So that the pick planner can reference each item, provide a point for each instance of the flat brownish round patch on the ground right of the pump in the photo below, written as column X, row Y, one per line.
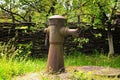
column 99, row 70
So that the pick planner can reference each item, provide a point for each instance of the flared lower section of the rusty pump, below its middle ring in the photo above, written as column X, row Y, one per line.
column 55, row 59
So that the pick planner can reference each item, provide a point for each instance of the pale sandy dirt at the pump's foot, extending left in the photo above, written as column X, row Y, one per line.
column 43, row 76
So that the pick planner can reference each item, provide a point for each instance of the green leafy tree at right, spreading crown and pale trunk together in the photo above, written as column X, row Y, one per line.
column 97, row 13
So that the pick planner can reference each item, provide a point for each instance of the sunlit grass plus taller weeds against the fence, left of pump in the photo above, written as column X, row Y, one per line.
column 13, row 64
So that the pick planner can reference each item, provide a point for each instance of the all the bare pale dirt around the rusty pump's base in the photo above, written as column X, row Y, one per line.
column 96, row 70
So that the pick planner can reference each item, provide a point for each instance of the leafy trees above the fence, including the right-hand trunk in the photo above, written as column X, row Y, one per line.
column 95, row 13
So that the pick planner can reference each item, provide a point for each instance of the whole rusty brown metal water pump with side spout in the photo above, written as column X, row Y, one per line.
column 57, row 31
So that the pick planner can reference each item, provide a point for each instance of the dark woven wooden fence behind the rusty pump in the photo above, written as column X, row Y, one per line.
column 38, row 38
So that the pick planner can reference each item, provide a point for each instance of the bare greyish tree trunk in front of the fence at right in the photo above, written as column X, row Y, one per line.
column 110, row 43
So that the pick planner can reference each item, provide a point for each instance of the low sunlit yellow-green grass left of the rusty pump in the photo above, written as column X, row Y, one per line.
column 8, row 69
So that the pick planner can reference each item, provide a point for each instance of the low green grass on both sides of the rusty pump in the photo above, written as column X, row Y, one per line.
column 15, row 67
